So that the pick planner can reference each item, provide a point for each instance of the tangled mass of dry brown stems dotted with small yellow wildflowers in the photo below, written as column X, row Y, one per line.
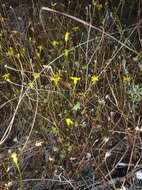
column 71, row 97
